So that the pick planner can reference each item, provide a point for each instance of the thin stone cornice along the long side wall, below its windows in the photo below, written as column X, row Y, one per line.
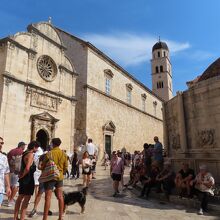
column 120, row 101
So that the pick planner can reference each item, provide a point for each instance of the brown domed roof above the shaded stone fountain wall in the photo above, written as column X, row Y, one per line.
column 212, row 71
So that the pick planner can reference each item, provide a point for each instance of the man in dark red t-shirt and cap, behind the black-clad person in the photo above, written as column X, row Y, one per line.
column 14, row 153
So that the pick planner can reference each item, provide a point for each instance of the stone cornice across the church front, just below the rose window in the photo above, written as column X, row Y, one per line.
column 32, row 85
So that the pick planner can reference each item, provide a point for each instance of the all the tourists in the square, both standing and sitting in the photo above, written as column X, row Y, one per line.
column 34, row 170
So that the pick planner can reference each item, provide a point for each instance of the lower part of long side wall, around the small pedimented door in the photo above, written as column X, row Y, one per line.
column 132, row 128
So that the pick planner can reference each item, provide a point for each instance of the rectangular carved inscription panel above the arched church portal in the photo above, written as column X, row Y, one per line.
column 44, row 101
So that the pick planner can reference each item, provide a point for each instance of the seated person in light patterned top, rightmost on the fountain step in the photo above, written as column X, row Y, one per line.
column 203, row 185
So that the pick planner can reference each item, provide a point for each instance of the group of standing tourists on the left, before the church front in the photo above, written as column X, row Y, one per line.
column 34, row 170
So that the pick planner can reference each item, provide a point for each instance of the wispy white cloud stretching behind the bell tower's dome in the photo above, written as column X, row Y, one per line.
column 130, row 49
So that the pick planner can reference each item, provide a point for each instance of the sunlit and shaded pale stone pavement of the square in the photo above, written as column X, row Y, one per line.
column 101, row 205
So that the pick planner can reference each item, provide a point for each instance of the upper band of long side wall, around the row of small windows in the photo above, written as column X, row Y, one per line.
column 96, row 78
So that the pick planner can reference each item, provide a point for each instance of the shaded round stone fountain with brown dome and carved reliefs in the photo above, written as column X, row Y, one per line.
column 192, row 123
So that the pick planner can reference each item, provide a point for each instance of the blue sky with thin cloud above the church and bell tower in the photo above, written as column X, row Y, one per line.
column 127, row 29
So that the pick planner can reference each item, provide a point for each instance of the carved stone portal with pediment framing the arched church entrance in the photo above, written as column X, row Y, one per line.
column 45, row 122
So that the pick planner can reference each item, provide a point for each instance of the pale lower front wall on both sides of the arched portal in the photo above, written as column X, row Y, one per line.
column 16, row 114
